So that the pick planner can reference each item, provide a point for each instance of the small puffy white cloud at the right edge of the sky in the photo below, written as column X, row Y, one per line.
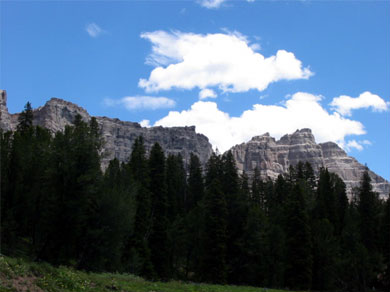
column 345, row 104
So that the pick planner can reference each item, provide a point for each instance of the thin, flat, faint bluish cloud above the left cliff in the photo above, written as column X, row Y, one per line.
column 141, row 102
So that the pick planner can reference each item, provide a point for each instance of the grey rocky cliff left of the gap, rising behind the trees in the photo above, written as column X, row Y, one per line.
column 118, row 135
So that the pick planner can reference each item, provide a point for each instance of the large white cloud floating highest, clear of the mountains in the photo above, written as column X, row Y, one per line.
column 223, row 60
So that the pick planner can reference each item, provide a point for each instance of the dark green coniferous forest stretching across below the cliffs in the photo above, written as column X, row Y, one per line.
column 156, row 217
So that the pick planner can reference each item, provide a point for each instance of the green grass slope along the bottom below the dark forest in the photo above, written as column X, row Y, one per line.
column 20, row 275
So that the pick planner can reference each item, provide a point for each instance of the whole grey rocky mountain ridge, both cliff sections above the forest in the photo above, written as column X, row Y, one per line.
column 270, row 156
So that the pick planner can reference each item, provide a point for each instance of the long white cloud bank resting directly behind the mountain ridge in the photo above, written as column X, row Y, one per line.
column 301, row 110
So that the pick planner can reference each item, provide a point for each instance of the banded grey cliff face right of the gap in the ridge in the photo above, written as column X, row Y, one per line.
column 274, row 157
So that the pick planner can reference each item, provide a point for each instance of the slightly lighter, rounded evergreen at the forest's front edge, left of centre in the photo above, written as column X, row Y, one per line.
column 109, row 223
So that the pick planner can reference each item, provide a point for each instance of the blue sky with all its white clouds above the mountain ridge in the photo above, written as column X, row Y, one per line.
column 235, row 69
